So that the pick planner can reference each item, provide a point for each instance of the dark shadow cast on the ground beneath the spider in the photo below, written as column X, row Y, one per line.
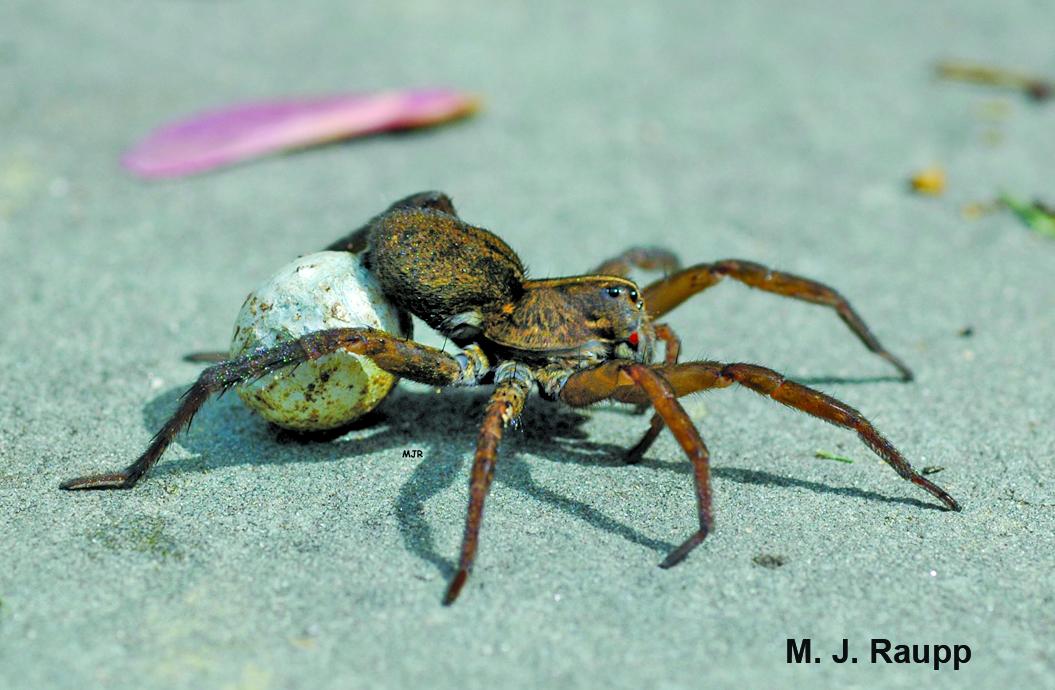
column 425, row 420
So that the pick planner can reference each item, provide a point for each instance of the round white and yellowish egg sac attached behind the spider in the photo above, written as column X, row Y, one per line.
column 329, row 290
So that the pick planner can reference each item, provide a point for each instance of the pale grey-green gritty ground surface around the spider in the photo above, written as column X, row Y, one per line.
column 757, row 131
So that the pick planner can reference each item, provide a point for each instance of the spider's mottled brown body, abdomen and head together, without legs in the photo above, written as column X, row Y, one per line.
column 469, row 285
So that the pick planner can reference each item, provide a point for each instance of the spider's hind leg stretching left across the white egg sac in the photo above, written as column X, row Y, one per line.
column 400, row 357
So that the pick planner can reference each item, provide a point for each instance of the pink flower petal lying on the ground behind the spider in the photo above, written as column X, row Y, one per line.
column 236, row 133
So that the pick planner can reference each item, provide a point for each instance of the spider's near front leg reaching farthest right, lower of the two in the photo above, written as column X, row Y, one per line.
column 608, row 382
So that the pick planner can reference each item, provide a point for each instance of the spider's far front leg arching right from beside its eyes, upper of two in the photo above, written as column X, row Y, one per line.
column 667, row 294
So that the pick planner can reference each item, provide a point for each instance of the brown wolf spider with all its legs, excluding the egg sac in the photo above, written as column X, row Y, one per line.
column 578, row 340
